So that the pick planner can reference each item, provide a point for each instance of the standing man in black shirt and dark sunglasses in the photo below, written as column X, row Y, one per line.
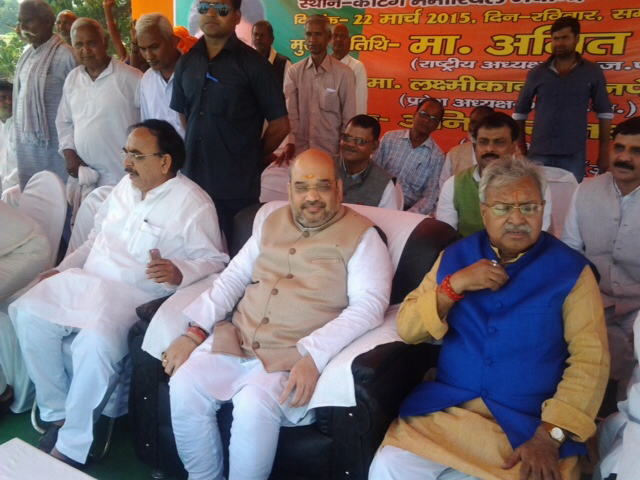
column 224, row 90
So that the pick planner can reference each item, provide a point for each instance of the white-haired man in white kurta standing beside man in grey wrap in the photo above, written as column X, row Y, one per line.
column 99, row 102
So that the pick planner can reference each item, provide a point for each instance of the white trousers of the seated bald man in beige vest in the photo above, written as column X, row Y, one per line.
column 199, row 387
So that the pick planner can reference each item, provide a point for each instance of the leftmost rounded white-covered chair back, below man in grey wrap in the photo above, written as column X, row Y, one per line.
column 44, row 200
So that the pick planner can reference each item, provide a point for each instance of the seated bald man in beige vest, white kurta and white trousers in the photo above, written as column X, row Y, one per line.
column 293, row 316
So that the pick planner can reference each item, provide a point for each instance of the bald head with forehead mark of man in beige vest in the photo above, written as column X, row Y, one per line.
column 315, row 192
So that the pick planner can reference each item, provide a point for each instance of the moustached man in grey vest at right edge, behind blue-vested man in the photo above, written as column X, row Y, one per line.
column 603, row 222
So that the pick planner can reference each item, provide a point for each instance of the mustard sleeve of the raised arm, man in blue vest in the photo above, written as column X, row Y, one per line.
column 418, row 319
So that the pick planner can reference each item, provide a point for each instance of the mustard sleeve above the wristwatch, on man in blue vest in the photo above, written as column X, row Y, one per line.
column 580, row 392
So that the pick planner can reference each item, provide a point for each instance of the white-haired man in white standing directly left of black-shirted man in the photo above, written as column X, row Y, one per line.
column 158, row 46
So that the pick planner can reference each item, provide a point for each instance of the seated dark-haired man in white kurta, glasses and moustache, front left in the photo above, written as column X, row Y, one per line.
column 155, row 233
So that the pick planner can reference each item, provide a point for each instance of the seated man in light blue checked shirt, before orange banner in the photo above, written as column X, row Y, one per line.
column 415, row 158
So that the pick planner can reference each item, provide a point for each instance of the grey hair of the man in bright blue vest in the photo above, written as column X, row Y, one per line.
column 507, row 170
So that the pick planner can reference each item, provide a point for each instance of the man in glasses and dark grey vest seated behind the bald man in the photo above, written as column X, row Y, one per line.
column 363, row 181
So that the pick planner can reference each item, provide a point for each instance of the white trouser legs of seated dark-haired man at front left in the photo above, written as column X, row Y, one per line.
column 76, row 397
